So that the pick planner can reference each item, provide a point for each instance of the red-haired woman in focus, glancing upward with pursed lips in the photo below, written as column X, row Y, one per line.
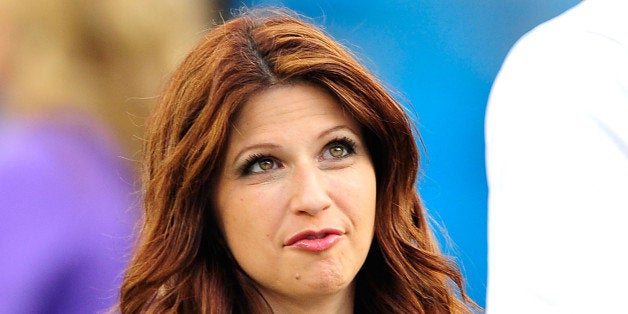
column 279, row 177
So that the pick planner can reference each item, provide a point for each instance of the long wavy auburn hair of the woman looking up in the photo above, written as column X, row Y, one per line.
column 182, row 262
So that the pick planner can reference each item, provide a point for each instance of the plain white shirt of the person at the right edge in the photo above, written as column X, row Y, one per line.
column 557, row 167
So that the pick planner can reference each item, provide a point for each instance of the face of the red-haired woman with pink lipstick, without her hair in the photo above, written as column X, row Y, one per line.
column 296, row 195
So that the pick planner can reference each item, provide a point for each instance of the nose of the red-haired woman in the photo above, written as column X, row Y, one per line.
column 309, row 193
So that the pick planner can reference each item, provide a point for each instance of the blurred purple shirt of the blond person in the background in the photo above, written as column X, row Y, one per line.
column 67, row 210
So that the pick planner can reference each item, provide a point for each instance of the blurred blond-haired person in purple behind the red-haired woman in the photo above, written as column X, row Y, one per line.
column 76, row 78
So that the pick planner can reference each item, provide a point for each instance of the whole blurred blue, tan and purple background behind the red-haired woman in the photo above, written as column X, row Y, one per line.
column 77, row 78
